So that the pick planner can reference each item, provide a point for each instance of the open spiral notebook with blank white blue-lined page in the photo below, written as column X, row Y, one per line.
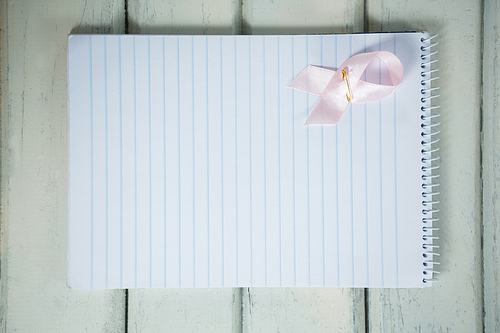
column 190, row 164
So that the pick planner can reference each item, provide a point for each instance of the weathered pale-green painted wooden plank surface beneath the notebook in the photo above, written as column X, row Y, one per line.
column 34, row 172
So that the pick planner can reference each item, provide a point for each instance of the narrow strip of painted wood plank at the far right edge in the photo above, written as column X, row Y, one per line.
column 491, row 163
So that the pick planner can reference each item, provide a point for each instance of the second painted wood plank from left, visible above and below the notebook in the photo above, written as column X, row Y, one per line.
column 188, row 310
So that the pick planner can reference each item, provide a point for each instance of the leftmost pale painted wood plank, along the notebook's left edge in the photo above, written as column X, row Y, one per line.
column 34, row 168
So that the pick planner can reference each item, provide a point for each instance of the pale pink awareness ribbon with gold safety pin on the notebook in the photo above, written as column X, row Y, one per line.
column 334, row 89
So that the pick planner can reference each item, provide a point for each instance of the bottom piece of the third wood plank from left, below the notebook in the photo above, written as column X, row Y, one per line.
column 303, row 310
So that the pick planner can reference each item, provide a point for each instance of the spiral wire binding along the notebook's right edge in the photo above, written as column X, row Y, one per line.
column 430, row 167
